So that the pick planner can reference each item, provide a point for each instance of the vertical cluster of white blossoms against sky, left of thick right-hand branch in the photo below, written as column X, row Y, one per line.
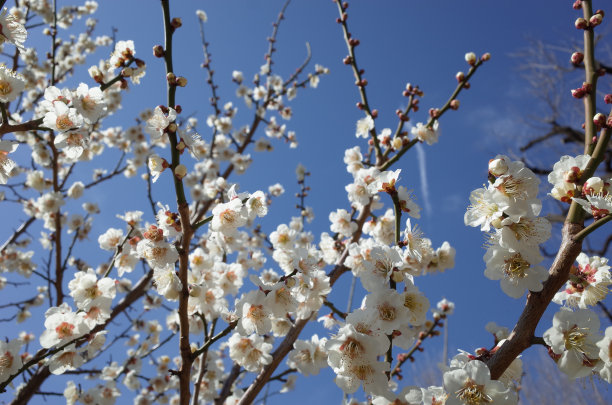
column 508, row 209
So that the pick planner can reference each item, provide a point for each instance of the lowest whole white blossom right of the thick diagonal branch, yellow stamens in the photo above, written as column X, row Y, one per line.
column 573, row 336
